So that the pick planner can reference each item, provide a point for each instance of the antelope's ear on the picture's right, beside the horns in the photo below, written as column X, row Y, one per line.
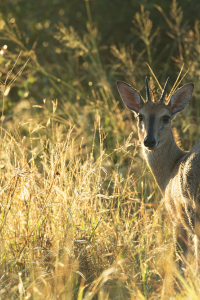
column 180, row 99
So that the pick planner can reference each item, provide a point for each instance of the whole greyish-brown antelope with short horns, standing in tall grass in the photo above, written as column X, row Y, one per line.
column 176, row 172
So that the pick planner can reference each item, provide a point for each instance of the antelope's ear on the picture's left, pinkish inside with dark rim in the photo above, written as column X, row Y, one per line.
column 130, row 96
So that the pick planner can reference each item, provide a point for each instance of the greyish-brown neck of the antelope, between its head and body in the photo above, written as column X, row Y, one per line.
column 164, row 161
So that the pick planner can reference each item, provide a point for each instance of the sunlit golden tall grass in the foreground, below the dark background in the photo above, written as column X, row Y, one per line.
column 73, row 227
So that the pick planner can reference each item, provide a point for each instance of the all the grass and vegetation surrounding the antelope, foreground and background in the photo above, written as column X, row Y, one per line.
column 81, row 216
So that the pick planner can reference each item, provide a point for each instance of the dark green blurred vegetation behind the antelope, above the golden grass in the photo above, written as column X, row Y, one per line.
column 78, row 49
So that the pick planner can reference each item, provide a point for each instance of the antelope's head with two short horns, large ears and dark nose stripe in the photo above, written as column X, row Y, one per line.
column 154, row 118
